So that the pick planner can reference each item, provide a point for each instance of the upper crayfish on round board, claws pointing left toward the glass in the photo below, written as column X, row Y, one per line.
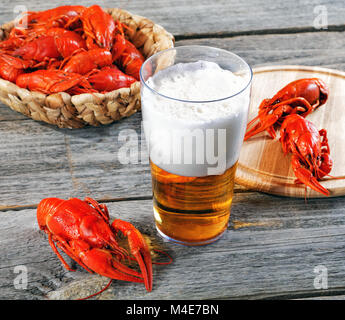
column 301, row 97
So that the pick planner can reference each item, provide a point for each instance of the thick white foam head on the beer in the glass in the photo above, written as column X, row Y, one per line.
column 167, row 120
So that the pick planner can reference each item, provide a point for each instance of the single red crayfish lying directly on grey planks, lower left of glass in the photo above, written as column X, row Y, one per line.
column 82, row 230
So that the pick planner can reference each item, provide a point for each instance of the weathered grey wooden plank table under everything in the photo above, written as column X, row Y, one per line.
column 274, row 246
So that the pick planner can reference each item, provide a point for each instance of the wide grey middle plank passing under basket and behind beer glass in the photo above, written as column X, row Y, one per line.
column 43, row 161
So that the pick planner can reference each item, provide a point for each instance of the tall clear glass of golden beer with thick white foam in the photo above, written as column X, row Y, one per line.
column 195, row 102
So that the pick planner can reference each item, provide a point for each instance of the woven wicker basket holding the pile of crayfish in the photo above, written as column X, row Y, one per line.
column 76, row 111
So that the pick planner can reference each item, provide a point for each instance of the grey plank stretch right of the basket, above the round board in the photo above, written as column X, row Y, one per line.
column 307, row 49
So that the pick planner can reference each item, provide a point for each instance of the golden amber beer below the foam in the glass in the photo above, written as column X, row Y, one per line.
column 192, row 210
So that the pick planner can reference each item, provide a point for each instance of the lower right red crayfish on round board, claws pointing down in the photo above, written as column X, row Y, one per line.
column 310, row 151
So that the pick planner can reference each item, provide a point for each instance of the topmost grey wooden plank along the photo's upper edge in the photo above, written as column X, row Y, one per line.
column 186, row 18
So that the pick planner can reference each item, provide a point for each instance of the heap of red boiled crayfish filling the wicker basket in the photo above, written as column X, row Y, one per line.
column 74, row 49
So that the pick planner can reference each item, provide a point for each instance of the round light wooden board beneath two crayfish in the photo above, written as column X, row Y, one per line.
column 262, row 165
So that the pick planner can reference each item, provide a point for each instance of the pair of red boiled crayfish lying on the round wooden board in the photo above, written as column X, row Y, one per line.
column 287, row 109
